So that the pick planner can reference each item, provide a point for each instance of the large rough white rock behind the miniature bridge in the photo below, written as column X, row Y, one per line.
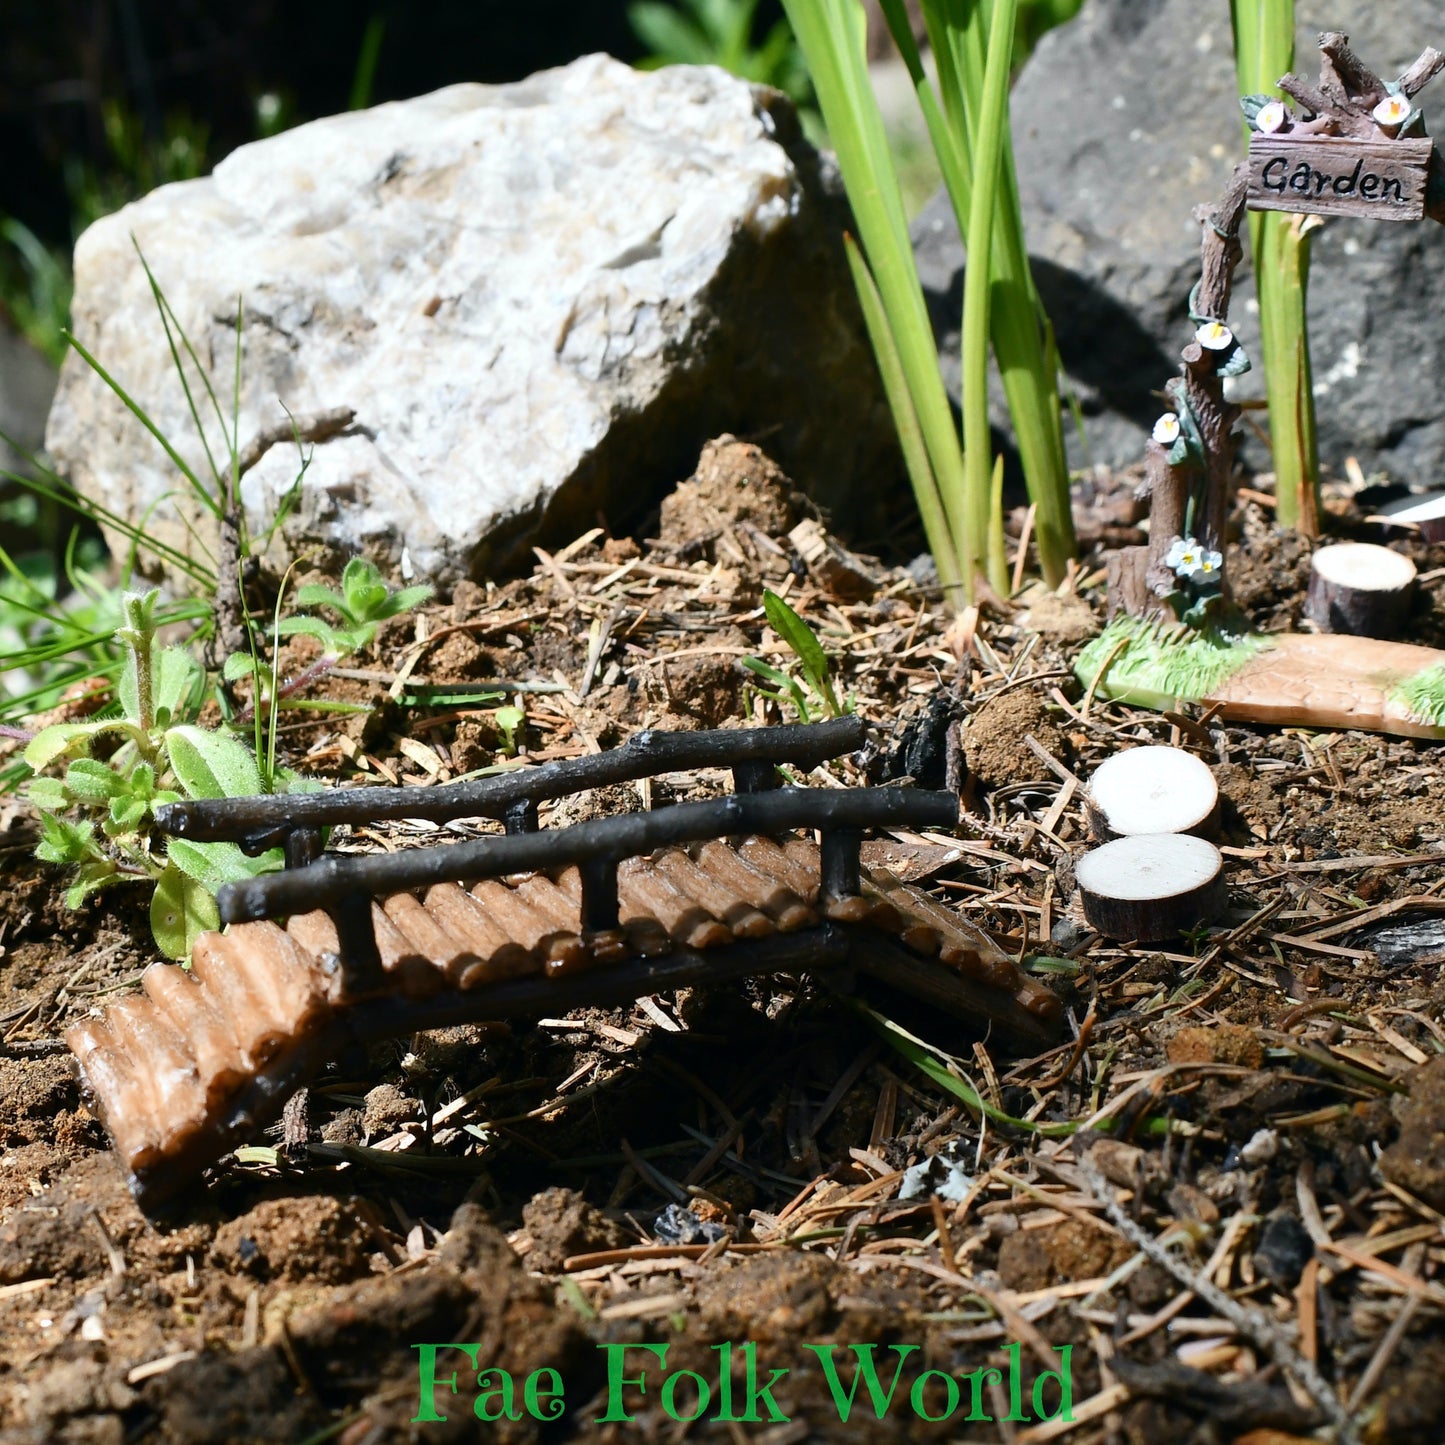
column 538, row 300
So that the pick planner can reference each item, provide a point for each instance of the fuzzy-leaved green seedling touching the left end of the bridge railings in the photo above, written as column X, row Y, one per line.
column 99, row 816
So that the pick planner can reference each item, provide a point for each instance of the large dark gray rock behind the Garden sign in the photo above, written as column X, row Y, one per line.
column 1125, row 121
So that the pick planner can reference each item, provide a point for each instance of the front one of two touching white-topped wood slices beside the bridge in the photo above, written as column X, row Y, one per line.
column 1152, row 887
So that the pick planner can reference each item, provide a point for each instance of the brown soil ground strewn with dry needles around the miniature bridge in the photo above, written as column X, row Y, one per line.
column 1225, row 1193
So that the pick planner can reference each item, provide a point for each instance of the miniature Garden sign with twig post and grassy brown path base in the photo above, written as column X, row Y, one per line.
column 1355, row 147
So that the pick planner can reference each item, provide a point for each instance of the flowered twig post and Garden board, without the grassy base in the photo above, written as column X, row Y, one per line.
column 1359, row 148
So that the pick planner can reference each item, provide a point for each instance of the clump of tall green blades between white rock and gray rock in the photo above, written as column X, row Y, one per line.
column 956, row 480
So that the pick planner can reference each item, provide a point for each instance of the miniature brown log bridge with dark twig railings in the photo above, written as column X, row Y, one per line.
column 524, row 924
